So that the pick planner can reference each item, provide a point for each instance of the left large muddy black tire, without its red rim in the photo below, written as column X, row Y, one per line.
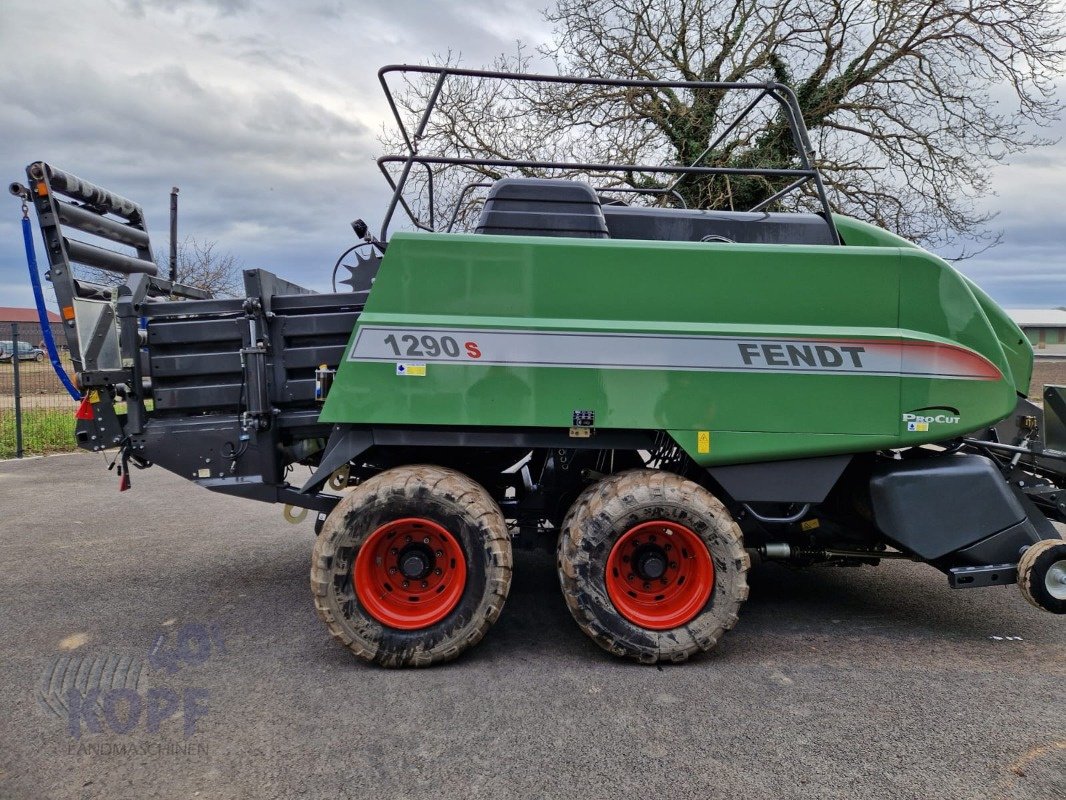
column 446, row 498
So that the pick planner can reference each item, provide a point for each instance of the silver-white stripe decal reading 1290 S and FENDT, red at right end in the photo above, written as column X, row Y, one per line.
column 671, row 353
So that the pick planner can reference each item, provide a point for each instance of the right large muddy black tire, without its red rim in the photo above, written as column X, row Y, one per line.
column 620, row 503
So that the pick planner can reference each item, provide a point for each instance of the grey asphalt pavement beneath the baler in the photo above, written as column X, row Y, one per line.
column 163, row 644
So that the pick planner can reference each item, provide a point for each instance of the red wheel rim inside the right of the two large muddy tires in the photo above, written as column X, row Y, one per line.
column 659, row 575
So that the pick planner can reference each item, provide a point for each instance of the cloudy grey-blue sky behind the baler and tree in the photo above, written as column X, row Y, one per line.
column 266, row 115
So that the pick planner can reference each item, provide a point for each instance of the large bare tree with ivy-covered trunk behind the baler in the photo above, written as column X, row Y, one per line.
column 910, row 103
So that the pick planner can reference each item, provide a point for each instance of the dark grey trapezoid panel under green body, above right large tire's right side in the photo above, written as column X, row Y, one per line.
column 800, row 481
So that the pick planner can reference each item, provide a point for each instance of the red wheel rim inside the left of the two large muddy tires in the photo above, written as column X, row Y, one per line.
column 410, row 574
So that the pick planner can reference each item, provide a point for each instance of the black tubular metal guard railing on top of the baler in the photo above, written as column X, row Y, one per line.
column 777, row 92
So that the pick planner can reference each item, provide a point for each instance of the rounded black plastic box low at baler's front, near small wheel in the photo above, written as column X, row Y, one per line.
column 940, row 505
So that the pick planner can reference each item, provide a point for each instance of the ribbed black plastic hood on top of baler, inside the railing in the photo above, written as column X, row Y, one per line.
column 543, row 207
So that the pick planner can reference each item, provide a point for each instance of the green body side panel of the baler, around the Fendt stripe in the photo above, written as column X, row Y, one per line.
column 539, row 285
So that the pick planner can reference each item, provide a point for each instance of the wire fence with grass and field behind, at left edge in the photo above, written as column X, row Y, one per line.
column 37, row 414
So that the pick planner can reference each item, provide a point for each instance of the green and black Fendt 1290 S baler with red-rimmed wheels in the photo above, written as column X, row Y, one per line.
column 664, row 394
